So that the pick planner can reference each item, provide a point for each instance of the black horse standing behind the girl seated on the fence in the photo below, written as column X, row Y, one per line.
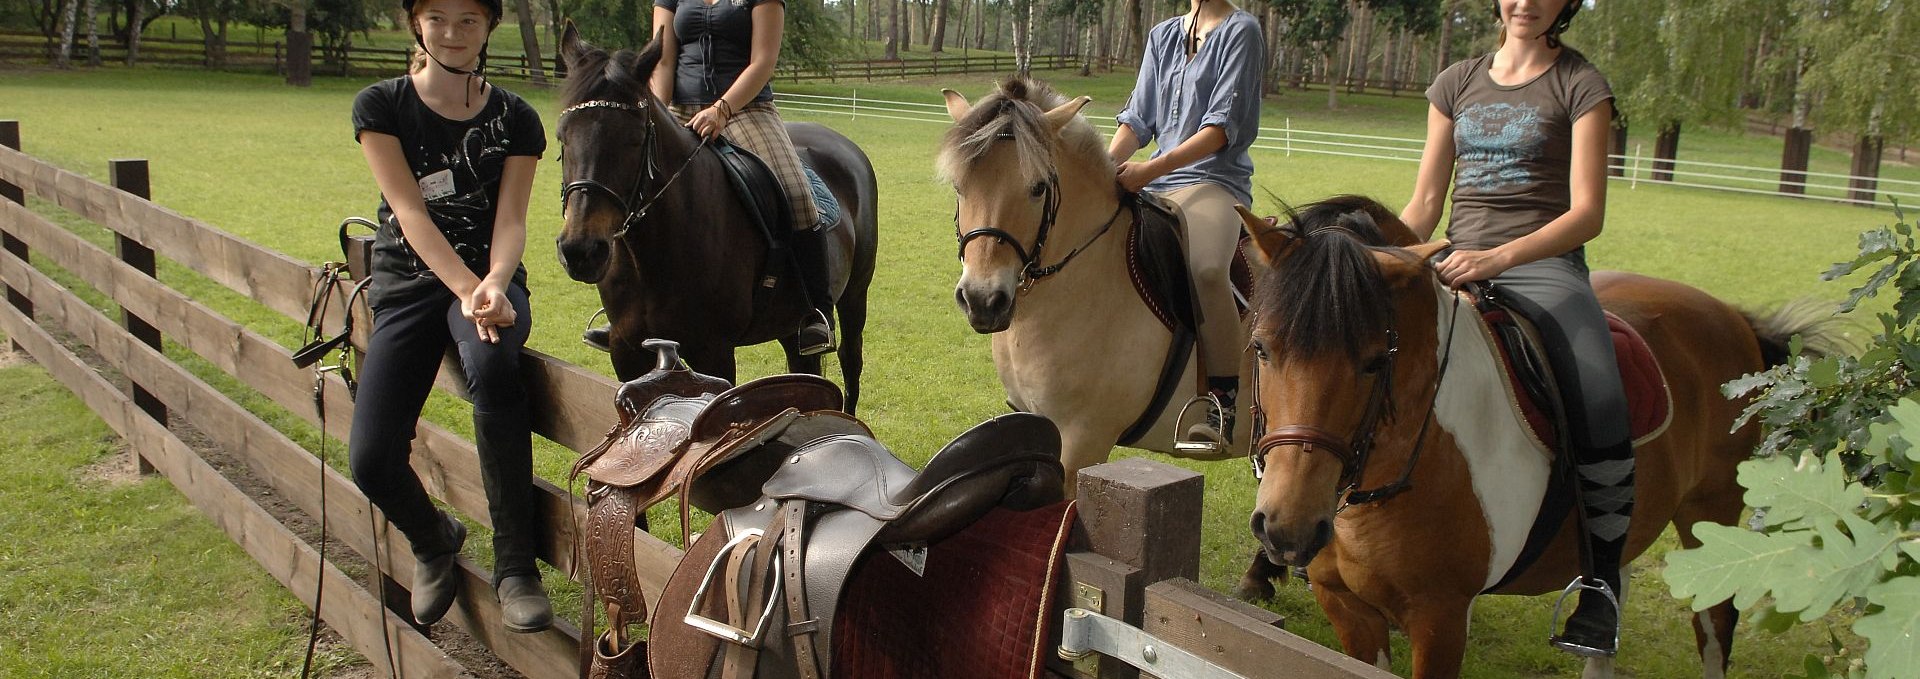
column 677, row 256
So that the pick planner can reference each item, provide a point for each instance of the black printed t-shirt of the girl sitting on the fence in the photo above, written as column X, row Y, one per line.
column 458, row 166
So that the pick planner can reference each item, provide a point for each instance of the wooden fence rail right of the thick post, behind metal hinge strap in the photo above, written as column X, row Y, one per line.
column 1241, row 638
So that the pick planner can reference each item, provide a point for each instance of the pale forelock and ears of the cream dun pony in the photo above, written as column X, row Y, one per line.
column 1013, row 114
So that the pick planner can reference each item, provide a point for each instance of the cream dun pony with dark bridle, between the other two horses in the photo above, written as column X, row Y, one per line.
column 1044, row 248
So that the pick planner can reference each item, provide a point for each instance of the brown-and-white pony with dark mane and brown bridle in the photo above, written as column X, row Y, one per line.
column 1351, row 354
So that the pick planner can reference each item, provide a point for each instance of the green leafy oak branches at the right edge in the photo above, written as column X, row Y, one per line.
column 1840, row 511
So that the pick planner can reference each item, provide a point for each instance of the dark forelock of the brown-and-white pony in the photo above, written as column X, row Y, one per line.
column 1330, row 294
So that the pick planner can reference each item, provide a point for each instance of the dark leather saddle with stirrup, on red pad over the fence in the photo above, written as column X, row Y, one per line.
column 759, row 594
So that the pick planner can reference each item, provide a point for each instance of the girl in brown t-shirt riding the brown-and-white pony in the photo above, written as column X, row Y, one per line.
column 1524, row 137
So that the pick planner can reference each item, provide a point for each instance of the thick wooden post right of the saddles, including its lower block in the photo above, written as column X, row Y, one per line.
column 1140, row 525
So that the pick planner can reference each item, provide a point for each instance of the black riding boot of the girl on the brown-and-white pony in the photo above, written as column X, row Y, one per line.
column 1608, row 492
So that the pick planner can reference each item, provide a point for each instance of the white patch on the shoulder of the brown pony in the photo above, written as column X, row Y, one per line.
column 1508, row 463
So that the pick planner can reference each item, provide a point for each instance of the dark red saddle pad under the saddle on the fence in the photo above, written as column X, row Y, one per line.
column 986, row 607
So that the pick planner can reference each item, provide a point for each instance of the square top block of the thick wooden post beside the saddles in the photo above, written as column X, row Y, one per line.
column 1145, row 515
